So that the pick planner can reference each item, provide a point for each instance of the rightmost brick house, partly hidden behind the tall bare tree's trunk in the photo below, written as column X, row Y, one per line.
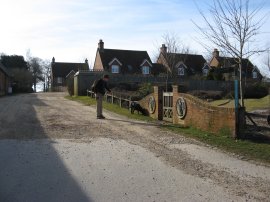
column 228, row 66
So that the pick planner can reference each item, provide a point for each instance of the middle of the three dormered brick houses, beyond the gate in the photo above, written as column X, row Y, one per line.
column 182, row 64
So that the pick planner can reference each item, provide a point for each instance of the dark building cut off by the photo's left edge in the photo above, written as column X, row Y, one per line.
column 5, row 80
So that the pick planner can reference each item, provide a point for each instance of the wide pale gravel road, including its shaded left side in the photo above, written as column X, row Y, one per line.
column 53, row 149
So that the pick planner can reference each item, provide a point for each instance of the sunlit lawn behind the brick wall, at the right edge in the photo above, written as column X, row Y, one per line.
column 251, row 104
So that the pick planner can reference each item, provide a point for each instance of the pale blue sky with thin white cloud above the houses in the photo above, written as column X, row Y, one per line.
column 69, row 30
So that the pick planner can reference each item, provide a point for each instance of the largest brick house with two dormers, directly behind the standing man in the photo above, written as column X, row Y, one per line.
column 117, row 61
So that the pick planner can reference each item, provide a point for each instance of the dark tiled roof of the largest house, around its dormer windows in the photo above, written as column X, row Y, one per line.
column 130, row 59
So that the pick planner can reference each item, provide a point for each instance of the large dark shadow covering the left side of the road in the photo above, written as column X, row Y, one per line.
column 31, row 168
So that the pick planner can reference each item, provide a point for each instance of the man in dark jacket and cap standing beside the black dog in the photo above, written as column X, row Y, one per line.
column 101, row 88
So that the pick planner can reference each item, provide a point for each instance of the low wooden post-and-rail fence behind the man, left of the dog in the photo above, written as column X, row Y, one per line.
column 120, row 100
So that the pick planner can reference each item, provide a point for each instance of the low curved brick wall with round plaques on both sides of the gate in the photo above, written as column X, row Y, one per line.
column 199, row 114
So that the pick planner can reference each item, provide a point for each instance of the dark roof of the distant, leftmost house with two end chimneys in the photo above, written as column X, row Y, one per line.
column 62, row 69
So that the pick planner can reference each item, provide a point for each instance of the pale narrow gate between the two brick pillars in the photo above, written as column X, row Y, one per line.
column 168, row 106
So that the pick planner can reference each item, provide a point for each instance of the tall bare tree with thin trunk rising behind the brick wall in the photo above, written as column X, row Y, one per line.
column 233, row 26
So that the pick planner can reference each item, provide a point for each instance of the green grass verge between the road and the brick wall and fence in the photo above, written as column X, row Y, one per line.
column 223, row 140
